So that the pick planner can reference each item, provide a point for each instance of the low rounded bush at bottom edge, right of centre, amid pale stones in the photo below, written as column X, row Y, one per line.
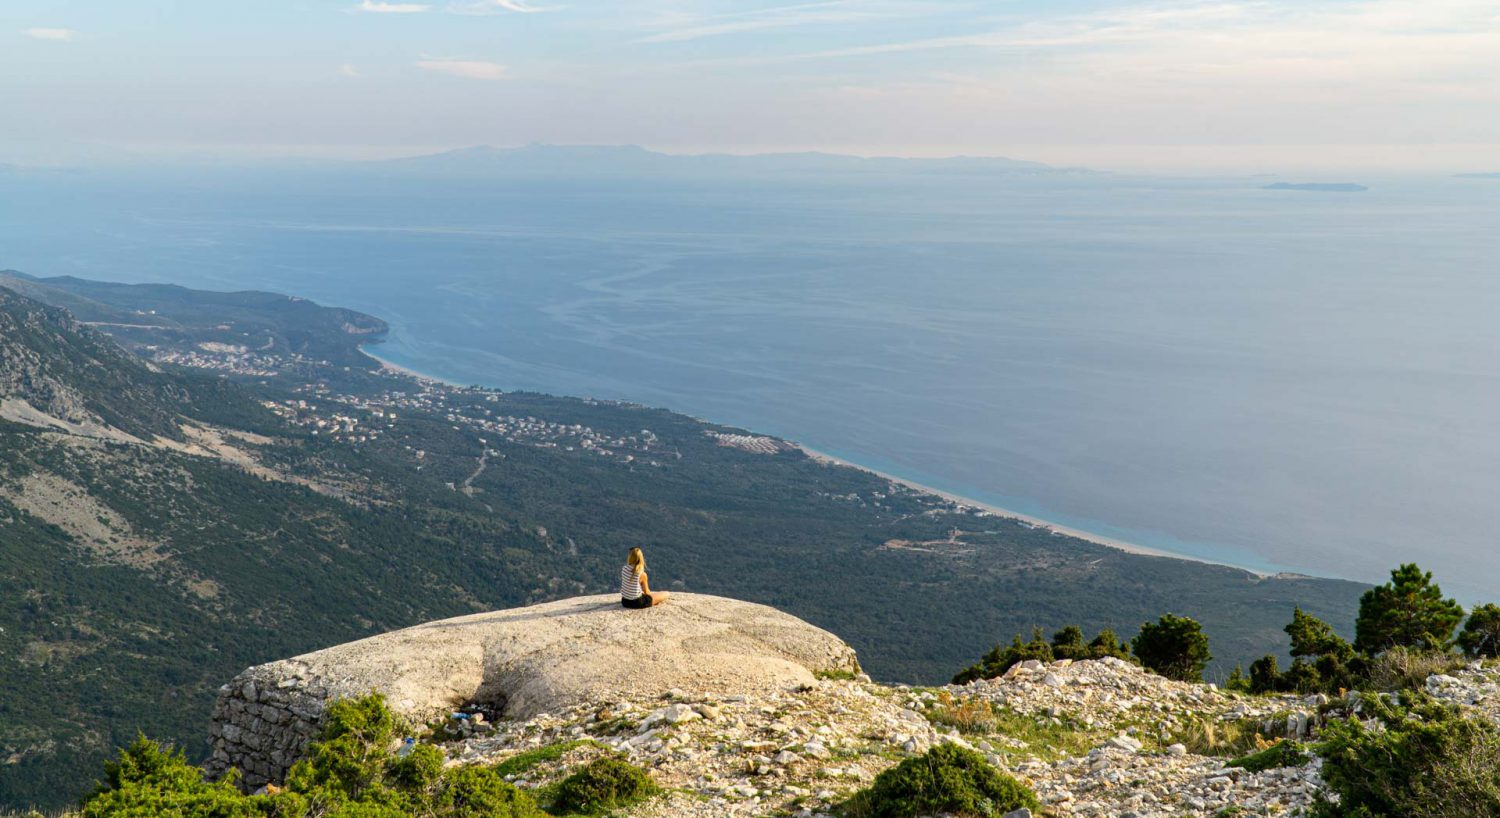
column 944, row 780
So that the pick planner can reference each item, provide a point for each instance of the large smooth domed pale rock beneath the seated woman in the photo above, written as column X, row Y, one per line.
column 520, row 664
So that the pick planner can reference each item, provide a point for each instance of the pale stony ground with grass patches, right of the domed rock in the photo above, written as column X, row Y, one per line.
column 1090, row 738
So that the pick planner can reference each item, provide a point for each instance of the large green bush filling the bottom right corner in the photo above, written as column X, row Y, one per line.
column 1421, row 760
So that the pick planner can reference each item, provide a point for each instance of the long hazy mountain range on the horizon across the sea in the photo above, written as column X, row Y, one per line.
column 547, row 160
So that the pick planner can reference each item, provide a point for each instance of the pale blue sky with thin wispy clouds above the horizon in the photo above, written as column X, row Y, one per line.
column 1244, row 85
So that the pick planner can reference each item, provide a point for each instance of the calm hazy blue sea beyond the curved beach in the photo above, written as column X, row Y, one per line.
column 1283, row 380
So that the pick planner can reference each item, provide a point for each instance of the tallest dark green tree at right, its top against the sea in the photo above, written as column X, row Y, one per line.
column 1408, row 612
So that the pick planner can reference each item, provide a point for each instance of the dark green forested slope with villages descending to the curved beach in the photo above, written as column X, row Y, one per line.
column 260, row 516
